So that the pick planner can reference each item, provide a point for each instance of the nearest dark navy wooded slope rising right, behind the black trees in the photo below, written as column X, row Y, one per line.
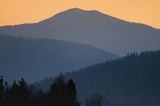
column 129, row 81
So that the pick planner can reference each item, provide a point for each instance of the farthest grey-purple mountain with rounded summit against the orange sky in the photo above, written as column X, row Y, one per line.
column 93, row 28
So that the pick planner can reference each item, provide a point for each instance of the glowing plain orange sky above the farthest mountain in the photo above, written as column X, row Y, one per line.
column 29, row 11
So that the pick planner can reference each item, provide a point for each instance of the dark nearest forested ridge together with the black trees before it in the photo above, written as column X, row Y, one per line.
column 122, row 81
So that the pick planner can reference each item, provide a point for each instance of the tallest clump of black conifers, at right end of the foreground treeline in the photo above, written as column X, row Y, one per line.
column 62, row 93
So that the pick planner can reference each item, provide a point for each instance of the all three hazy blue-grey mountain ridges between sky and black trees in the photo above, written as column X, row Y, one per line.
column 74, row 39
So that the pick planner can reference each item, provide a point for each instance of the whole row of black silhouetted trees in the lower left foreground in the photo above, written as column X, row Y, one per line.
column 61, row 93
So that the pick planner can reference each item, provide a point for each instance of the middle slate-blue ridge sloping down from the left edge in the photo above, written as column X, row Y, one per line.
column 35, row 59
